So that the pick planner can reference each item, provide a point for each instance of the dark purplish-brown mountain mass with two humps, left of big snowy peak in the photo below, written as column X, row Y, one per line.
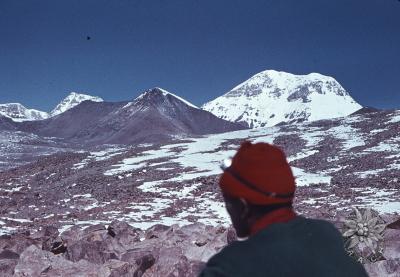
column 156, row 115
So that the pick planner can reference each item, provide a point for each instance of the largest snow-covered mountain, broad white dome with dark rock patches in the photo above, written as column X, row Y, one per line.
column 271, row 97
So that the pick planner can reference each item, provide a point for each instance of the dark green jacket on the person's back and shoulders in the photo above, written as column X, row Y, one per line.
column 300, row 247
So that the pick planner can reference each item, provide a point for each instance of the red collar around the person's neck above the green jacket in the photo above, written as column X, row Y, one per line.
column 280, row 215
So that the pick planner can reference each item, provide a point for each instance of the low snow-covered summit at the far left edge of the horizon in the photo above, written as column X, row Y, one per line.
column 17, row 112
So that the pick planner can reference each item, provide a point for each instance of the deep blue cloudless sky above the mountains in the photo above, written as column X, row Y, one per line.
column 198, row 49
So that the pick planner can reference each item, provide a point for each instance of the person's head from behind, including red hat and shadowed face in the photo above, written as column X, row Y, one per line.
column 259, row 180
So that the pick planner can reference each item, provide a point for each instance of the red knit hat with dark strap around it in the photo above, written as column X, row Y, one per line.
column 260, row 174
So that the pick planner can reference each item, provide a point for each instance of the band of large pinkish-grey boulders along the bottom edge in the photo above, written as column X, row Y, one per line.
column 122, row 250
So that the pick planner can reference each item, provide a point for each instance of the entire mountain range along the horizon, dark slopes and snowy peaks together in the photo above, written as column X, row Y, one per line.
column 266, row 99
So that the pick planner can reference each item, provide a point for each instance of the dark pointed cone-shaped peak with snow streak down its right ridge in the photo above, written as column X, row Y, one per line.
column 154, row 116
